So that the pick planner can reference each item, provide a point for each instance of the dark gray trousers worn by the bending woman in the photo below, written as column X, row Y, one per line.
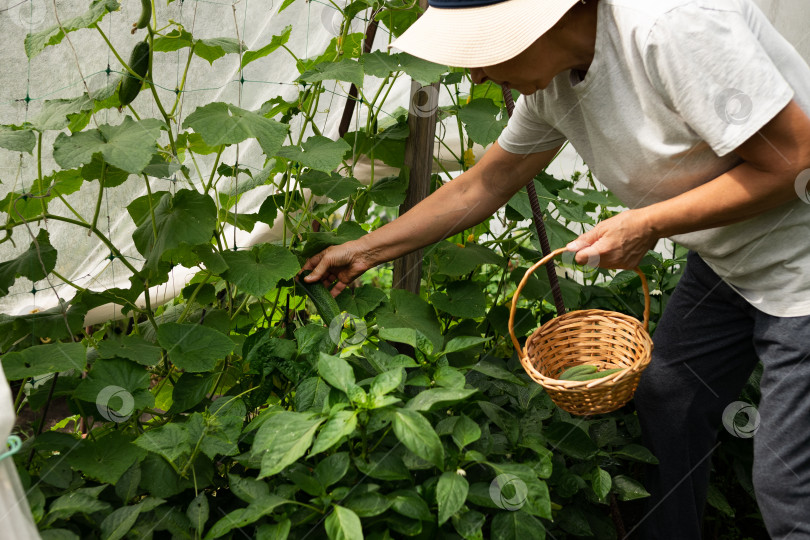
column 707, row 344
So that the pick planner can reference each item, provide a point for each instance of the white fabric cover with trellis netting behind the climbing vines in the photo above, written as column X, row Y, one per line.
column 42, row 83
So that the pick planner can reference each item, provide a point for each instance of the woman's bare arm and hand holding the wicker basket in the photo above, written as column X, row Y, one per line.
column 775, row 161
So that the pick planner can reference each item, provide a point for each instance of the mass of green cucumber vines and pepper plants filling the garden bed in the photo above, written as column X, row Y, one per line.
column 231, row 411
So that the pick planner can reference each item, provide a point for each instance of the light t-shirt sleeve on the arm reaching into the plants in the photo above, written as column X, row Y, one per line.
column 527, row 132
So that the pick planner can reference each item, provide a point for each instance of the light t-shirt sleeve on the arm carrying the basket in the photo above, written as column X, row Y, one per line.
column 711, row 69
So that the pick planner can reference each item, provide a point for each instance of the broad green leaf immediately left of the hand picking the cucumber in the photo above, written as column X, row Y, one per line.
column 258, row 270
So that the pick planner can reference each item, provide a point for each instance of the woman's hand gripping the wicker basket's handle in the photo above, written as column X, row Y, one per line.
column 618, row 242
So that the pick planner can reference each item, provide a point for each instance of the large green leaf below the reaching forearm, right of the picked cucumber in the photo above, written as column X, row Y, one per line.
column 406, row 310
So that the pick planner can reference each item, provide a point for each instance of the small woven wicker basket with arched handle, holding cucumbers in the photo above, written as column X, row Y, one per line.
column 607, row 339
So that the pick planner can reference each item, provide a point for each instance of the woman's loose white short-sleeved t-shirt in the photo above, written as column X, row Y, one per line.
column 675, row 86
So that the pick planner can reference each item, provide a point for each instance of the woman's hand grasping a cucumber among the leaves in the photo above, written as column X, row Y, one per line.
column 341, row 264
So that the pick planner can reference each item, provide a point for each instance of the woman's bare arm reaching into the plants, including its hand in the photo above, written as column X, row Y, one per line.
column 459, row 204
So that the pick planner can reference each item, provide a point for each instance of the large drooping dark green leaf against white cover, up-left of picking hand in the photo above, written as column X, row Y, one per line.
column 188, row 217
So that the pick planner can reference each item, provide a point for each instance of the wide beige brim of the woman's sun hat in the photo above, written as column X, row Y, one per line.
column 479, row 33
